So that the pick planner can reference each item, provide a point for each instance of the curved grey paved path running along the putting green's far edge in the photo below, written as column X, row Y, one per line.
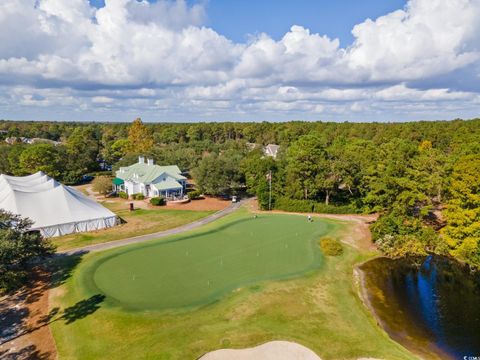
column 138, row 239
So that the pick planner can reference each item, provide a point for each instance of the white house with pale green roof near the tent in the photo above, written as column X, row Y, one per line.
column 150, row 180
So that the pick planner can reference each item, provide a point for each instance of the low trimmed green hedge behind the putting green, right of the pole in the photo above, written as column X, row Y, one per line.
column 313, row 207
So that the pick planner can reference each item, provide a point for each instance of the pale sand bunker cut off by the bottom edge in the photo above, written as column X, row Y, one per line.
column 274, row 350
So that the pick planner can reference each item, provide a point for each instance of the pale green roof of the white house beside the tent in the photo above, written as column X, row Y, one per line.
column 146, row 174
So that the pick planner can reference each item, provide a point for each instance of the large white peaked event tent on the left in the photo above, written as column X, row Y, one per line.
column 54, row 208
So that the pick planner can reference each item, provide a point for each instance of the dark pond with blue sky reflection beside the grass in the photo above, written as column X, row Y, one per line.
column 430, row 305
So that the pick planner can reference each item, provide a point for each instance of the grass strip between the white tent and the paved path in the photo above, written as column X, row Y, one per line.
column 138, row 222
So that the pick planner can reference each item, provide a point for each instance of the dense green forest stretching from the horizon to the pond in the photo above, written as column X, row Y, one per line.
column 421, row 177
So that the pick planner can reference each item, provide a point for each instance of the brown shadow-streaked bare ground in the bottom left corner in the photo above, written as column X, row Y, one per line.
column 24, row 332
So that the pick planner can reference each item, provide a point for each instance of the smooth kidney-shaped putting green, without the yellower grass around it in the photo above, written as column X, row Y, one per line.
column 199, row 268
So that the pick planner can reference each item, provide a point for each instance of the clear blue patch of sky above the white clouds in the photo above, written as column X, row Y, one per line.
column 238, row 19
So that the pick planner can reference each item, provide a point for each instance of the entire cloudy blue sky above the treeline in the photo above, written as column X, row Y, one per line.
column 214, row 60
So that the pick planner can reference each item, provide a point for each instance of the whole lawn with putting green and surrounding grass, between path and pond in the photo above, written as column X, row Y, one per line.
column 289, row 291
